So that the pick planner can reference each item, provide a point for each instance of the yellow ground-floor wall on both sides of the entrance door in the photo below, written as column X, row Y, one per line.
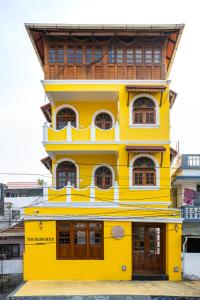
column 40, row 260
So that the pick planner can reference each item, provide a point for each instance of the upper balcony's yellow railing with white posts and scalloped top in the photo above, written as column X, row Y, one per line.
column 72, row 134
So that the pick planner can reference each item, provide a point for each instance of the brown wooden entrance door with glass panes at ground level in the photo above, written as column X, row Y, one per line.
column 148, row 248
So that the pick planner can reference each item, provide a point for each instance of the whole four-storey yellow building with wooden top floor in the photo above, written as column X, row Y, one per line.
column 107, row 215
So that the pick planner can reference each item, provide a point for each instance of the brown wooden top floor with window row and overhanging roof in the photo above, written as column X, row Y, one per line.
column 105, row 51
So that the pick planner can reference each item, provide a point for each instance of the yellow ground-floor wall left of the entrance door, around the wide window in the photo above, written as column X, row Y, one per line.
column 43, row 263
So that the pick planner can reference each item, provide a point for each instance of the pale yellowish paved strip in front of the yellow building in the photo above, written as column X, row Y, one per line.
column 70, row 288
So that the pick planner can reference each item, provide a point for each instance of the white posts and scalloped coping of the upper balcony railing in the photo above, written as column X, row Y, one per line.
column 92, row 128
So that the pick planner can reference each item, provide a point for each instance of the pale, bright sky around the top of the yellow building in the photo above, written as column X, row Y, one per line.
column 22, row 94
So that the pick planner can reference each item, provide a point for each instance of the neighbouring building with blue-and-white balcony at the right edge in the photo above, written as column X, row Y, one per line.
column 186, row 195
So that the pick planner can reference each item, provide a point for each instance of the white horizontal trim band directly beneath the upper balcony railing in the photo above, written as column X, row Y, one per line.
column 121, row 142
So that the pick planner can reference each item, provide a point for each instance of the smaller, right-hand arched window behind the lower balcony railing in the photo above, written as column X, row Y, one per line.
column 103, row 177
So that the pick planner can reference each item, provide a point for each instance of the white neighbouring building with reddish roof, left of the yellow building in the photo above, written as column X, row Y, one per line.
column 18, row 195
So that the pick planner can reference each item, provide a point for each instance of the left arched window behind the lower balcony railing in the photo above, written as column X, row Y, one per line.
column 66, row 172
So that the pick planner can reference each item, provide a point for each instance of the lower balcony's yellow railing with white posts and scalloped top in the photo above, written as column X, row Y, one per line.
column 89, row 194
